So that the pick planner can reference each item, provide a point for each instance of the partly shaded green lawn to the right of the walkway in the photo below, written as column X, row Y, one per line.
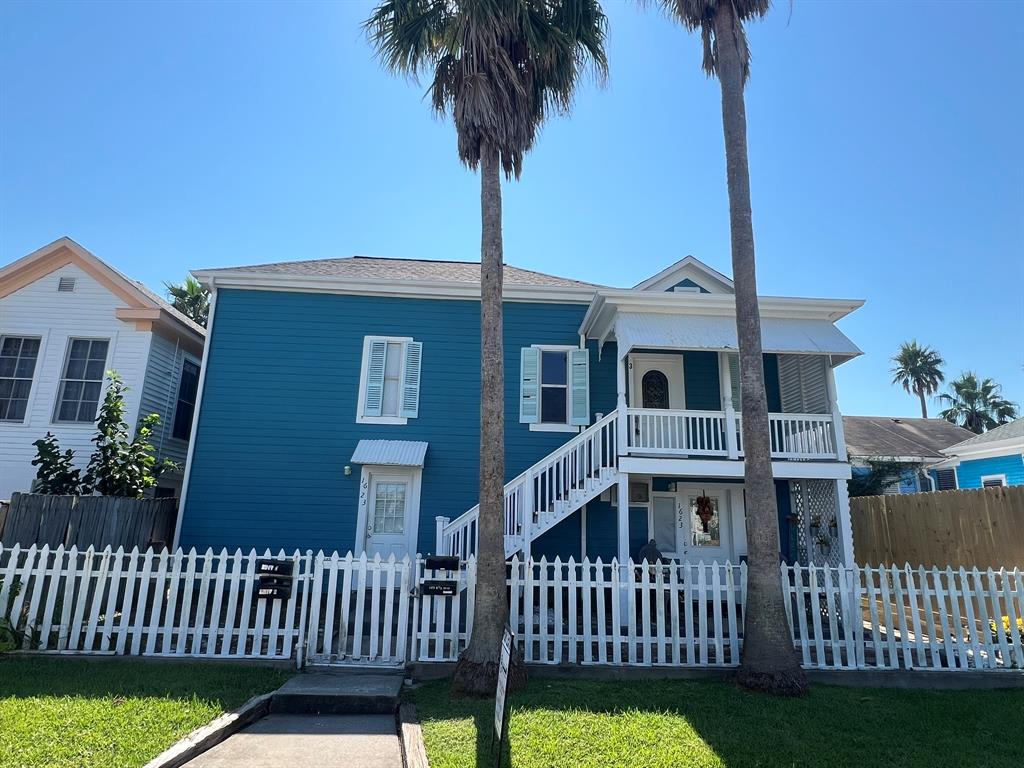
column 660, row 724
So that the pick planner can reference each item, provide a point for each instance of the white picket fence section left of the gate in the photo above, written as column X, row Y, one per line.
column 147, row 604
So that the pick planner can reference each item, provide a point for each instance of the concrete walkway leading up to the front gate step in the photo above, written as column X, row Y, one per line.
column 322, row 741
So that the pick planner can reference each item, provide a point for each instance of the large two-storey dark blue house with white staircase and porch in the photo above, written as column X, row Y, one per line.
column 339, row 409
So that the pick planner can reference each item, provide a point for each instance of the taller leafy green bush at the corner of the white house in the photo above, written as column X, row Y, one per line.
column 120, row 466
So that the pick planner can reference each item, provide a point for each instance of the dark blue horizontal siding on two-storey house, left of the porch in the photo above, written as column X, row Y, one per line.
column 278, row 419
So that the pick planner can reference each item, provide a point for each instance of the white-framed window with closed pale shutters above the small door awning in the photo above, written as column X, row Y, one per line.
column 390, row 380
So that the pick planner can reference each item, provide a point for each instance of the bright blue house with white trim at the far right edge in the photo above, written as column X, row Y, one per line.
column 992, row 459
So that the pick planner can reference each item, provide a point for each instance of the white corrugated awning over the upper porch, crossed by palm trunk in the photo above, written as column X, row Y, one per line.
column 798, row 336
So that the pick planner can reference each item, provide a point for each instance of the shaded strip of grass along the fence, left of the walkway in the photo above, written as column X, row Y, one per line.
column 231, row 686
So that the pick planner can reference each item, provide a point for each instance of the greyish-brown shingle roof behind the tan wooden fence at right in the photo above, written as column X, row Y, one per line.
column 888, row 437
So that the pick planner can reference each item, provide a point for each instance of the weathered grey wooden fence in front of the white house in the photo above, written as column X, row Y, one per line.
column 89, row 522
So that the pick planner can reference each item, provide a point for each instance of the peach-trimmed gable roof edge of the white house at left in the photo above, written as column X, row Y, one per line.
column 142, row 304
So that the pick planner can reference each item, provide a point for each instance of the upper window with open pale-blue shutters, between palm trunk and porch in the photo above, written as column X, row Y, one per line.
column 554, row 388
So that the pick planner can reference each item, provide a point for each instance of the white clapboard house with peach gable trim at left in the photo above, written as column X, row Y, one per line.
column 67, row 318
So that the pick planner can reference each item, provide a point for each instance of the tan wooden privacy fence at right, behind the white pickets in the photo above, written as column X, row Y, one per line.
column 984, row 528
